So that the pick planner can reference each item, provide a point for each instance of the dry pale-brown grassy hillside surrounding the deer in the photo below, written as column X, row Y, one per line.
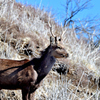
column 25, row 31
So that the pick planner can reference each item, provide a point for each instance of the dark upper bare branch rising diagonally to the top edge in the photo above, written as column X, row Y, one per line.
column 73, row 7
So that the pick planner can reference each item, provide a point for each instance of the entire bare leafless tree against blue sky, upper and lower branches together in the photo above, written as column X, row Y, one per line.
column 87, row 28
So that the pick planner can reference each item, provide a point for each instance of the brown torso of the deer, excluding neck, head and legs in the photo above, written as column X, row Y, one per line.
column 15, row 74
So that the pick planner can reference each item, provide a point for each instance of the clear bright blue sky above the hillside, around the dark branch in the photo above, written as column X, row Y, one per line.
column 57, row 7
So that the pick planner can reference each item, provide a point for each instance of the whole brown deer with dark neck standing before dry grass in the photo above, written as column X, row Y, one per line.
column 27, row 75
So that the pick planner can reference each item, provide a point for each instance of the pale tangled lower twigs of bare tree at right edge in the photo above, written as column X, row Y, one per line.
column 89, row 28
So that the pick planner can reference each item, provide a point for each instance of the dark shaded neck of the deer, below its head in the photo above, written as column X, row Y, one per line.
column 44, row 65
